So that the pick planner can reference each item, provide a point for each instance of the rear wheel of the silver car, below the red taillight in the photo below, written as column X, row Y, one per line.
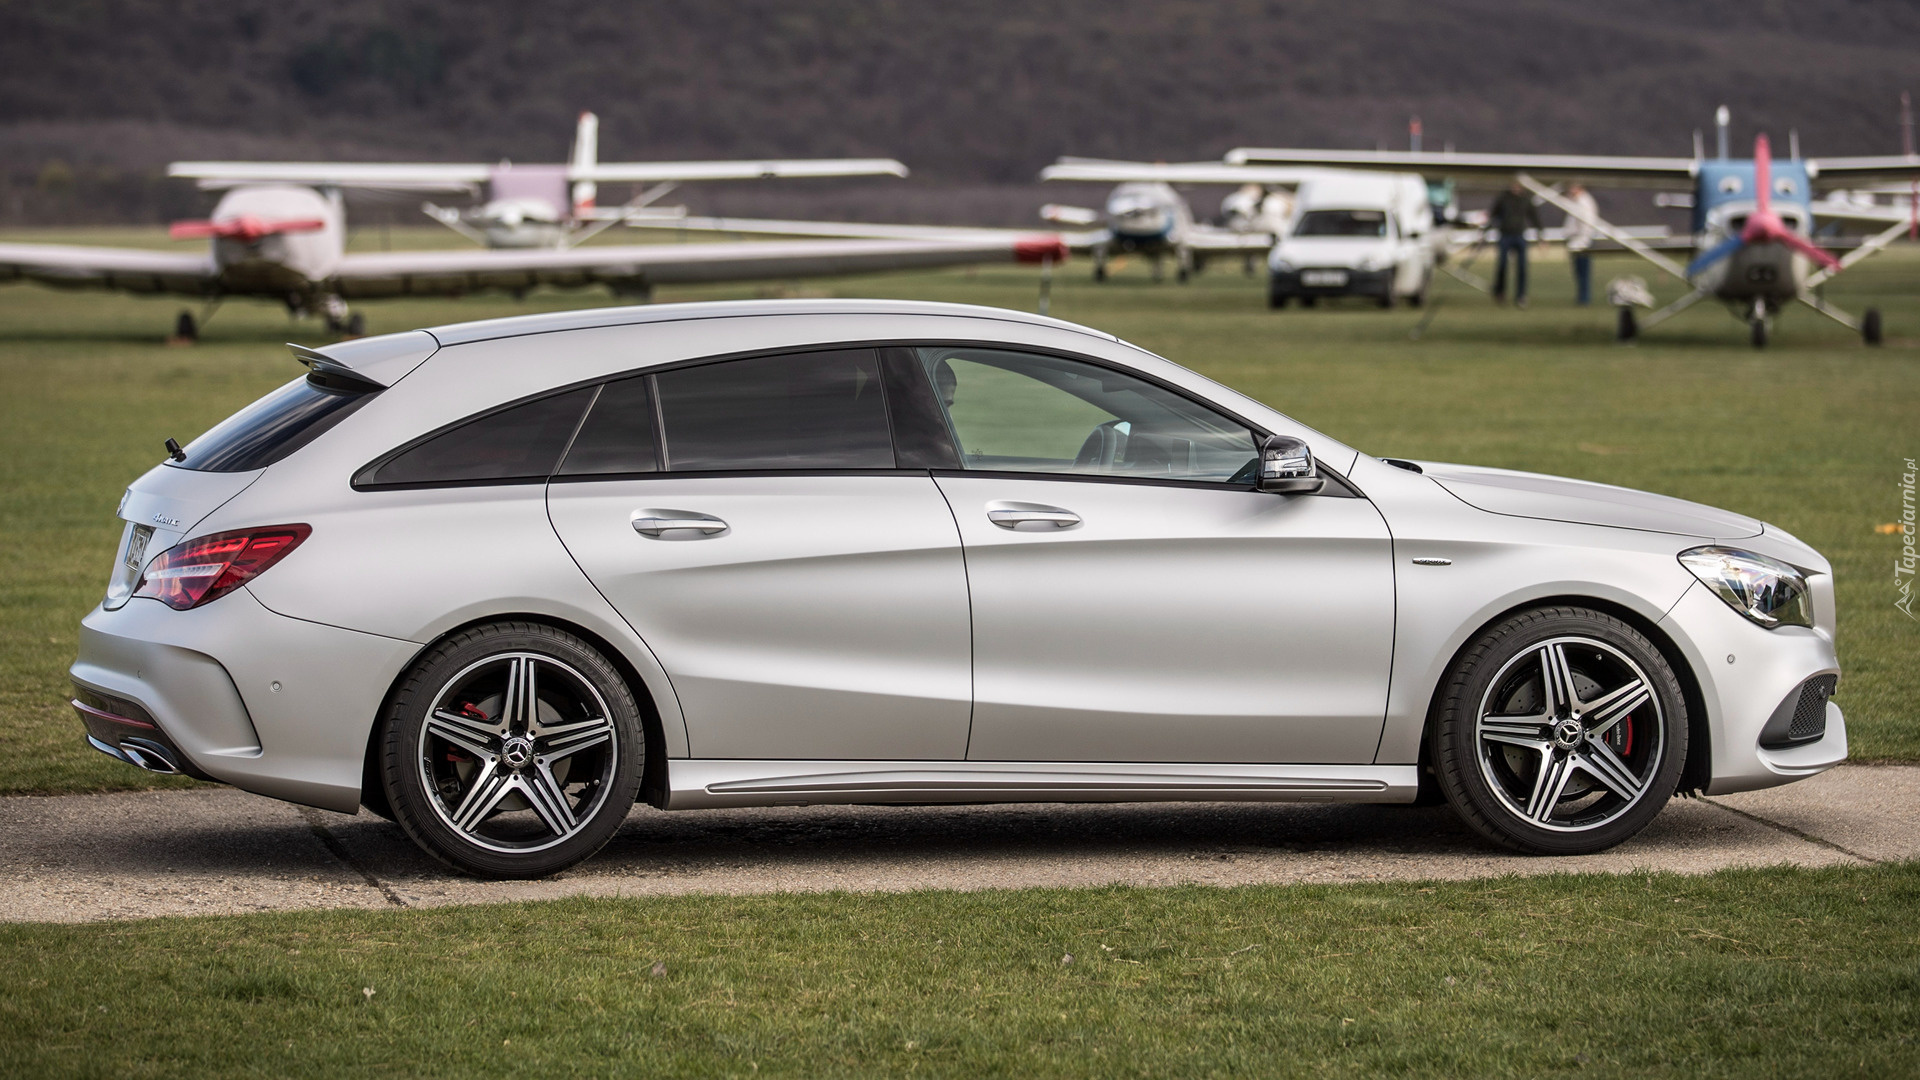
column 527, row 772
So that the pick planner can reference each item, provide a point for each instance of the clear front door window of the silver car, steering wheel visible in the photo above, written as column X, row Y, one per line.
column 1042, row 414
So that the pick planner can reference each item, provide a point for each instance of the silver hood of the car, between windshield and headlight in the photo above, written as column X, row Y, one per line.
column 1558, row 499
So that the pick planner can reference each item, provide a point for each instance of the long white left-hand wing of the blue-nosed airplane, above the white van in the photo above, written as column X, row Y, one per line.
column 1487, row 168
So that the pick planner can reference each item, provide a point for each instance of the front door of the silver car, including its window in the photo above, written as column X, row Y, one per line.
column 1134, row 597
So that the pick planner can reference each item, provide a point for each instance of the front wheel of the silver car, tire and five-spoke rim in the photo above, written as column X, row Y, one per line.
column 1541, row 785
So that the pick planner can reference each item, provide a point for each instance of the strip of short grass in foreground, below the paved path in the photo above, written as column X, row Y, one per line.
column 1744, row 973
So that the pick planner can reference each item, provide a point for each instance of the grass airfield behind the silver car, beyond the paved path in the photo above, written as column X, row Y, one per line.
column 1808, row 435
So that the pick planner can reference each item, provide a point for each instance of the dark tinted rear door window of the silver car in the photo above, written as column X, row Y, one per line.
column 817, row 410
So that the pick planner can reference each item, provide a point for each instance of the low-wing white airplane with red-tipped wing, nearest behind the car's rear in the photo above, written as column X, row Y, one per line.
column 287, row 243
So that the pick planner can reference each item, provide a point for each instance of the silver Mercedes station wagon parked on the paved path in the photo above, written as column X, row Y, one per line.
column 498, row 581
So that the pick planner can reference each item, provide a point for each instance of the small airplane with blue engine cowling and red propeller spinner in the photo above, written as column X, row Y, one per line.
column 1752, row 218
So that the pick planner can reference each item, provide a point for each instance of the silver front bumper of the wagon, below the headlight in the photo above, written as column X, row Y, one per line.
column 1746, row 677
